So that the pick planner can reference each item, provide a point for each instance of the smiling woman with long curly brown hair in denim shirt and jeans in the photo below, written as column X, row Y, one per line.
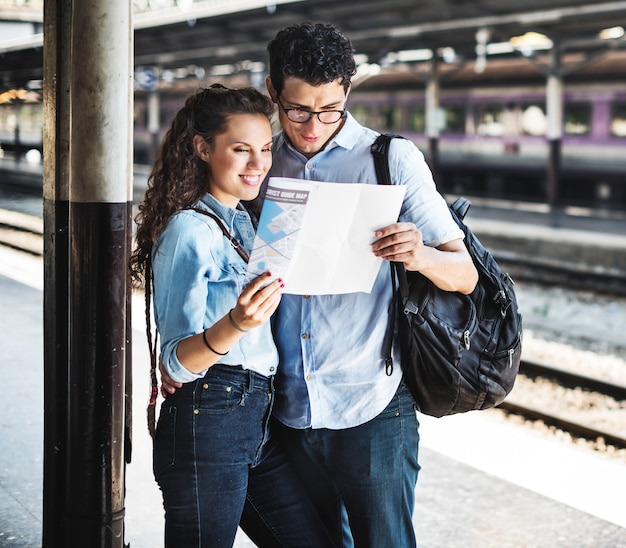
column 213, row 457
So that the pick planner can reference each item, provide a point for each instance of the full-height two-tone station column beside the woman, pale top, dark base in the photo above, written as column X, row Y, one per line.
column 93, row 341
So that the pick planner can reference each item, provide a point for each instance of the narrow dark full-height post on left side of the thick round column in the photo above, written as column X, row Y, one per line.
column 56, row 138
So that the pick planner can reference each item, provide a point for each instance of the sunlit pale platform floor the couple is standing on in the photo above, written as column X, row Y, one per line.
column 485, row 482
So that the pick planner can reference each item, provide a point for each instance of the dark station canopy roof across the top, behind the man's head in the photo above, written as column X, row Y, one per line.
column 218, row 33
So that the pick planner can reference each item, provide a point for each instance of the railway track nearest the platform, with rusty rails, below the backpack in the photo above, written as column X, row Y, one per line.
column 554, row 416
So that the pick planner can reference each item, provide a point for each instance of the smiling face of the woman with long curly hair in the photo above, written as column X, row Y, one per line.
column 240, row 158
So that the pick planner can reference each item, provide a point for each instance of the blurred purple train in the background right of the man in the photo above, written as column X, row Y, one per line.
column 492, row 139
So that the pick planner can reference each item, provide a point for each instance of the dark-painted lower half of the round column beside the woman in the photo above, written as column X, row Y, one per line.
column 97, row 403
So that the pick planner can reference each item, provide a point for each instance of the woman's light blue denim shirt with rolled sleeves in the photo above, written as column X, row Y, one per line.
column 198, row 277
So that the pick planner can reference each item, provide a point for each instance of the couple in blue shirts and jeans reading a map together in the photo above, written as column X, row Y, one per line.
column 322, row 449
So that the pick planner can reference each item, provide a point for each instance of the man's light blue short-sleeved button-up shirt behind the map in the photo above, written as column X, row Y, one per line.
column 331, row 347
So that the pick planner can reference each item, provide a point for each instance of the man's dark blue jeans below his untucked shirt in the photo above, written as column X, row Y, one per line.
column 369, row 471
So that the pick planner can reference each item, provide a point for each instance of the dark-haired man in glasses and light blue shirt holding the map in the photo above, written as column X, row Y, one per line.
column 350, row 428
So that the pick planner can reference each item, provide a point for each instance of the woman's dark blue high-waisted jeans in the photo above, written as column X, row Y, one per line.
column 213, row 455
